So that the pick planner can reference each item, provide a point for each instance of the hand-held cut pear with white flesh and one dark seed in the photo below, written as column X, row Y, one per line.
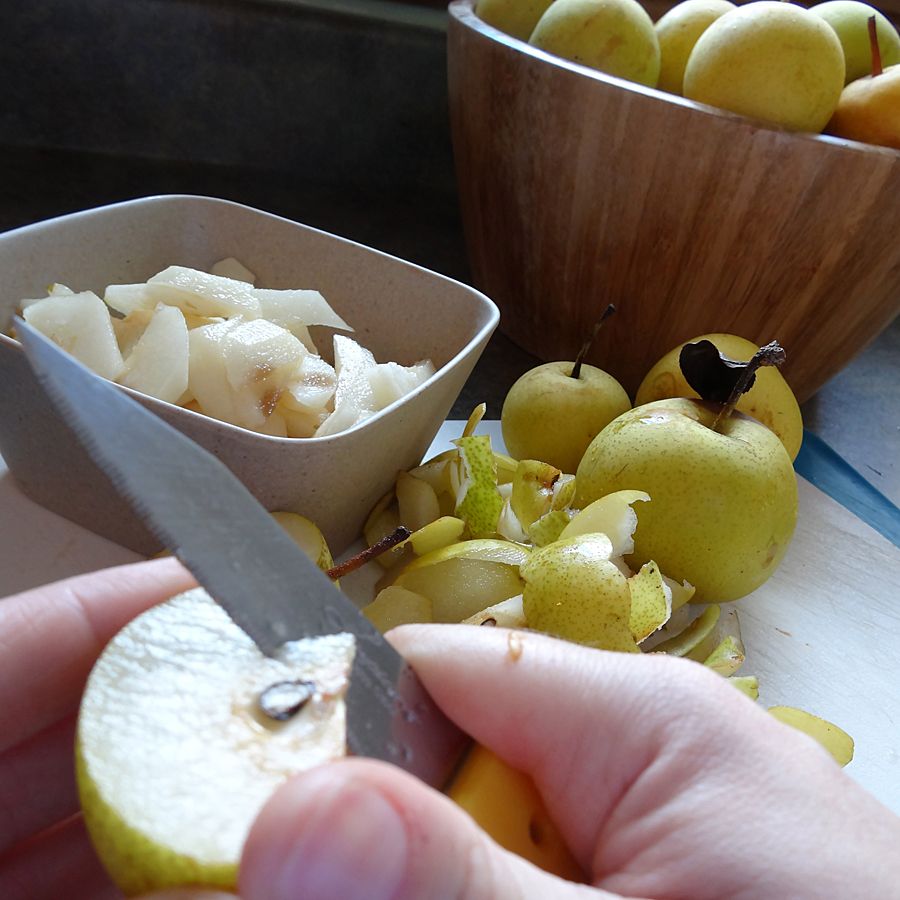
column 183, row 682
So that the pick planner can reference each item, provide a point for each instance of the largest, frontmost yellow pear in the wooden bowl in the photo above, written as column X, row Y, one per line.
column 772, row 61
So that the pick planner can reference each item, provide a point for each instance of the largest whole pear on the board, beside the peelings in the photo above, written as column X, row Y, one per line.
column 723, row 503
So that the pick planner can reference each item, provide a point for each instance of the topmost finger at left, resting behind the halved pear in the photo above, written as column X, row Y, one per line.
column 50, row 637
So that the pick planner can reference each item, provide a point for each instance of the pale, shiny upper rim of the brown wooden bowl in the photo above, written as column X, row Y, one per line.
column 463, row 11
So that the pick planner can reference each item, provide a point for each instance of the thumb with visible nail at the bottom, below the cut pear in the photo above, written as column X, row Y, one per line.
column 363, row 829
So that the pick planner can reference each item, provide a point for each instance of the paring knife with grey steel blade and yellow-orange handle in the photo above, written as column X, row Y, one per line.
column 200, row 511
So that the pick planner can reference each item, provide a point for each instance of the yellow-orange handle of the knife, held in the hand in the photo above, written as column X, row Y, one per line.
column 507, row 805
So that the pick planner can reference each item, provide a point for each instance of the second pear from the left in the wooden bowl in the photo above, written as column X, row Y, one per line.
column 613, row 36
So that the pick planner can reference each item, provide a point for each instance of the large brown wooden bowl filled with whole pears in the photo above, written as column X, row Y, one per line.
column 578, row 189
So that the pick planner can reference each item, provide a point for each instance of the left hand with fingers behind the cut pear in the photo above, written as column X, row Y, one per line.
column 49, row 639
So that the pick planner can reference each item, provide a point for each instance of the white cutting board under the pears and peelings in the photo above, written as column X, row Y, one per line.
column 820, row 634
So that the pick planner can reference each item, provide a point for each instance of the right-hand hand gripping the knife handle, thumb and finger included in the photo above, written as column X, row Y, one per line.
column 664, row 780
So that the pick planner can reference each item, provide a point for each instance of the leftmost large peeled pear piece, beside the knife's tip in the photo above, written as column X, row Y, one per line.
column 81, row 325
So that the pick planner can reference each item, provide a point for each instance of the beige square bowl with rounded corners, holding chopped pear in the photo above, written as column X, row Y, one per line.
column 400, row 312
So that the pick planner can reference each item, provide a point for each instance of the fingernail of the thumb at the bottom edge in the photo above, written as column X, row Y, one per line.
column 351, row 842
